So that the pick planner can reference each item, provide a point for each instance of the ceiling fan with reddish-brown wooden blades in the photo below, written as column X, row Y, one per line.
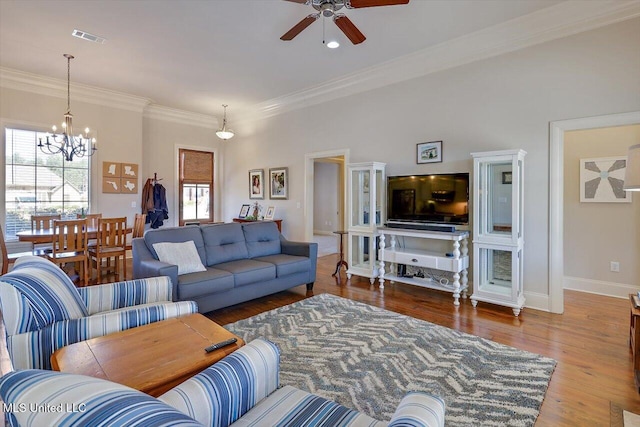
column 328, row 9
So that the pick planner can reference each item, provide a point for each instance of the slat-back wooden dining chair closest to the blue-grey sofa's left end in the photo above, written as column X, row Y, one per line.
column 112, row 234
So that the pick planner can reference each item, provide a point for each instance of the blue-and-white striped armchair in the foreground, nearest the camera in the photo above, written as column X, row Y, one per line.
column 240, row 390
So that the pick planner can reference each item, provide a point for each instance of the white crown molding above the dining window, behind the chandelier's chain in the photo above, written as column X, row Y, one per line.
column 42, row 85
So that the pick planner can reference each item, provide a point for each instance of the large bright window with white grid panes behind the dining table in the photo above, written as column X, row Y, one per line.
column 38, row 183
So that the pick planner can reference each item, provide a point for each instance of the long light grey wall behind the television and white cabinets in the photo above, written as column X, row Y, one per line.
column 499, row 103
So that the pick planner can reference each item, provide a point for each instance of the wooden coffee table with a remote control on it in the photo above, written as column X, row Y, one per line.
column 152, row 358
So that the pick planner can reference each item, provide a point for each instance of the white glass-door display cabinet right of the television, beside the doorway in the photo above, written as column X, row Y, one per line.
column 498, row 220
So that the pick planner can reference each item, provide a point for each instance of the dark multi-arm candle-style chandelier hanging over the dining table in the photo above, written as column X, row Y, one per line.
column 66, row 143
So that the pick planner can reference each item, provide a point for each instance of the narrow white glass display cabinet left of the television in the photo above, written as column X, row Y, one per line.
column 366, row 201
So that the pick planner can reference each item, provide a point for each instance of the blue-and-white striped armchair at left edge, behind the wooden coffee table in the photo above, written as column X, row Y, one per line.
column 42, row 309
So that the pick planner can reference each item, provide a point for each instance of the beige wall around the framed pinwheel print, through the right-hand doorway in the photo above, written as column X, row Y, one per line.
column 597, row 233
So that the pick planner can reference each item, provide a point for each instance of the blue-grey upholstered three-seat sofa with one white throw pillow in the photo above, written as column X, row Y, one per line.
column 239, row 262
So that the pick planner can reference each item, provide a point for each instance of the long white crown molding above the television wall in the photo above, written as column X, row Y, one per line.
column 561, row 20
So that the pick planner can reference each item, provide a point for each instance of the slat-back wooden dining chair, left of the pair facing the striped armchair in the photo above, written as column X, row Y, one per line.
column 70, row 245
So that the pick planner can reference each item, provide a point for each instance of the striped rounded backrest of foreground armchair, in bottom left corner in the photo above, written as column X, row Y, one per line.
column 82, row 400
